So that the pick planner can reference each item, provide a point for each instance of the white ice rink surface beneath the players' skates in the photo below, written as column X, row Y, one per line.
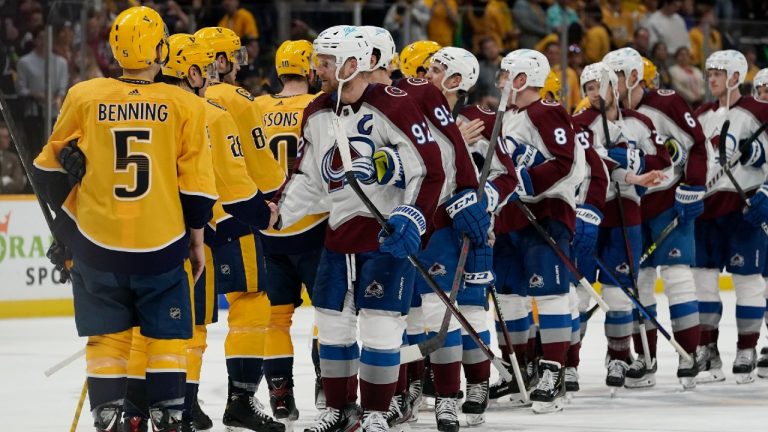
column 32, row 402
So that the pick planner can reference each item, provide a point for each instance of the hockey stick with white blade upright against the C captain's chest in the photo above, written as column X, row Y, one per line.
column 346, row 159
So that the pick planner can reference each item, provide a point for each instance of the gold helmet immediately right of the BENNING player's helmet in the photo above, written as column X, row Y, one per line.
column 185, row 52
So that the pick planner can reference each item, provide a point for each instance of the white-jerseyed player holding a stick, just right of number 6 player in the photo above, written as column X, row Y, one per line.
column 725, row 236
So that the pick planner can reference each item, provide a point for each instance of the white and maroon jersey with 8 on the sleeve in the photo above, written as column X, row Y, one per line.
column 547, row 127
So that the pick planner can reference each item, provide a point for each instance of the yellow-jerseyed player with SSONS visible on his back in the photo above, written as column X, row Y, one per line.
column 293, row 253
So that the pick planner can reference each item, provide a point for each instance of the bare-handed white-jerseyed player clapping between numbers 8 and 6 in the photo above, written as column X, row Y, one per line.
column 634, row 157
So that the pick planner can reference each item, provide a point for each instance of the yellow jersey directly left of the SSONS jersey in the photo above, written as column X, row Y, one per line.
column 262, row 166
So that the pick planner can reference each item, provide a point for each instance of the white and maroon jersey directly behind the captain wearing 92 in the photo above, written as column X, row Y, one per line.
column 459, row 172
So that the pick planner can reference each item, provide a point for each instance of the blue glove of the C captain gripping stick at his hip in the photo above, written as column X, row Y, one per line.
column 408, row 225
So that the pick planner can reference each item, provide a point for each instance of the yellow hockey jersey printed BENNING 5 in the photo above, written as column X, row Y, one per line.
column 149, row 173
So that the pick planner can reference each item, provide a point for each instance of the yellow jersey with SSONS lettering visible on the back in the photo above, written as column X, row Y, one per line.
column 280, row 129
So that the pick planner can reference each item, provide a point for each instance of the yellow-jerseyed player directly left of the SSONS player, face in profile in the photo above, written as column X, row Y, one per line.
column 238, row 253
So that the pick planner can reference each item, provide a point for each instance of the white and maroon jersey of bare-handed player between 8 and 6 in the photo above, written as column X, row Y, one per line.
column 634, row 131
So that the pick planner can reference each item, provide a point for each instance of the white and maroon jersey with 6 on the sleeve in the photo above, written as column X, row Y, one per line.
column 673, row 118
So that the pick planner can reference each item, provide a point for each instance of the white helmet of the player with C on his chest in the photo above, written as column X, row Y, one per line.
column 345, row 42
